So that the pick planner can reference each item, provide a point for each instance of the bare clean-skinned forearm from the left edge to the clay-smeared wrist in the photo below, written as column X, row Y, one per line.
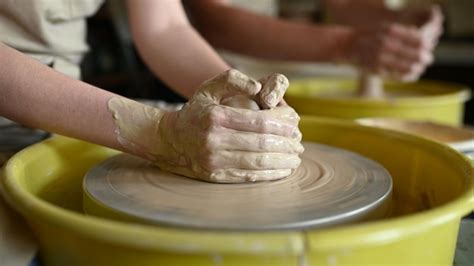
column 36, row 96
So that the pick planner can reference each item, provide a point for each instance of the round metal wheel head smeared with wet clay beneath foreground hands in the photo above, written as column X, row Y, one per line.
column 331, row 186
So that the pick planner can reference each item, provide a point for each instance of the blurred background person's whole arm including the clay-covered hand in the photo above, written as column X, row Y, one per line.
column 395, row 50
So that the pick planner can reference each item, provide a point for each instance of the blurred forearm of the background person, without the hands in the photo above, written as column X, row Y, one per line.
column 245, row 32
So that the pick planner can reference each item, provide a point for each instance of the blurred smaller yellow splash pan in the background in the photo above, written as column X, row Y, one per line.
column 424, row 100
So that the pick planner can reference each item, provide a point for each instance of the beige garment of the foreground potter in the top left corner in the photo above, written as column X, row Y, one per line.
column 51, row 31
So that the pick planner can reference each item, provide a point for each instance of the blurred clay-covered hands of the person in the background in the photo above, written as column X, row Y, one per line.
column 401, row 49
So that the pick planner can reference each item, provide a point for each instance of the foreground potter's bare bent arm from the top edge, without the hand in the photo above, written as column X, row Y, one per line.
column 171, row 47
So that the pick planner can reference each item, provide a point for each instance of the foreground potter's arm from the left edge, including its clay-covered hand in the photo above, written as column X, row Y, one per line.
column 183, row 142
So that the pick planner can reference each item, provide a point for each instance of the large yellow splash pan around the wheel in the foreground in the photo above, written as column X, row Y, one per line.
column 433, row 189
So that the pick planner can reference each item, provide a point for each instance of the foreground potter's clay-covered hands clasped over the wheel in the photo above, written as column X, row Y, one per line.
column 234, row 129
